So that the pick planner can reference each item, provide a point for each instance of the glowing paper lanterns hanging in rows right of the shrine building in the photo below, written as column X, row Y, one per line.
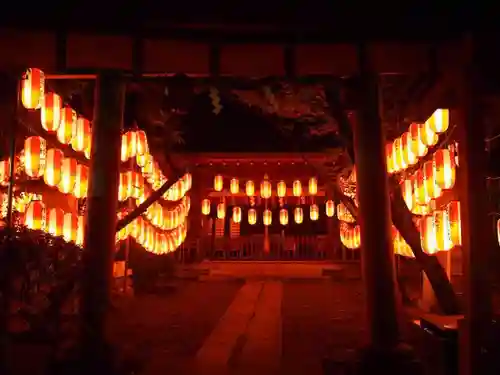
column 439, row 228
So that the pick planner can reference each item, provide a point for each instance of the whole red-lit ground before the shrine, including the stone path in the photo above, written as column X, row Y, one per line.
column 279, row 326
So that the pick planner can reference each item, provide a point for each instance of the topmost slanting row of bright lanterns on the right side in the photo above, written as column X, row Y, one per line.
column 413, row 144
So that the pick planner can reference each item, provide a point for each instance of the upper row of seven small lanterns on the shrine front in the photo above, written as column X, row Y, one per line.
column 266, row 187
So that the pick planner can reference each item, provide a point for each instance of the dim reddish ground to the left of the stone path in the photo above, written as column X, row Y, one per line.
column 162, row 330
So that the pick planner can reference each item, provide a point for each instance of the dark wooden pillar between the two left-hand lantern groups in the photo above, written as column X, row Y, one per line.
column 100, row 228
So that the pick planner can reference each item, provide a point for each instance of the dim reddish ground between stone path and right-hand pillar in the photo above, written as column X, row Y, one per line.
column 321, row 319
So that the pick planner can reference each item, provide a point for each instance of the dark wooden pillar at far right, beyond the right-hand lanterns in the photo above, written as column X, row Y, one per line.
column 477, row 236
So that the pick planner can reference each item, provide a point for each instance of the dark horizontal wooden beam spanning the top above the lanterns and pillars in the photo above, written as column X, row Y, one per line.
column 93, row 51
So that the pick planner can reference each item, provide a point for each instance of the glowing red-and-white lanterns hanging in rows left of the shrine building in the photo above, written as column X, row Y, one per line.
column 162, row 231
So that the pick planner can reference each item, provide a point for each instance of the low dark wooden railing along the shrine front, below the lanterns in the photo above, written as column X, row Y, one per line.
column 253, row 248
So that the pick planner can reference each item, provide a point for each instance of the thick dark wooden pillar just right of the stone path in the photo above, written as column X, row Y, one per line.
column 383, row 352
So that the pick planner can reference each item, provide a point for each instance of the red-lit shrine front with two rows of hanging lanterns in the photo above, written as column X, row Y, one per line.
column 266, row 207
